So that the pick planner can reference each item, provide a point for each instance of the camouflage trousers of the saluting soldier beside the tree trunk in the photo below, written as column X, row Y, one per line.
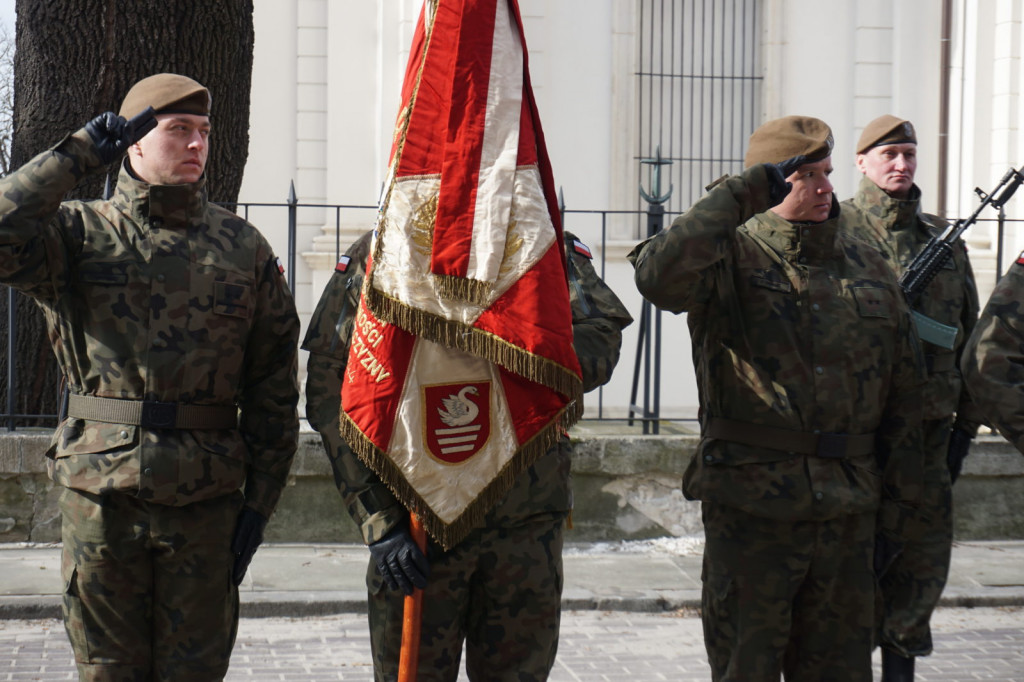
column 148, row 588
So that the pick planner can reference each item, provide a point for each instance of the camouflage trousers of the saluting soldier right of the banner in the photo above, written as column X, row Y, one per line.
column 788, row 598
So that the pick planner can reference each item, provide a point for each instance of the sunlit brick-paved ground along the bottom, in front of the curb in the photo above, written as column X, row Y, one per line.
column 980, row 644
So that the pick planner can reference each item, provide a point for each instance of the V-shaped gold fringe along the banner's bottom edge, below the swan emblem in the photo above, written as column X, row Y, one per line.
column 450, row 535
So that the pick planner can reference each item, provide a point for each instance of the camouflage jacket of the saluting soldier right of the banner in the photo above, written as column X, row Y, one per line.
column 798, row 328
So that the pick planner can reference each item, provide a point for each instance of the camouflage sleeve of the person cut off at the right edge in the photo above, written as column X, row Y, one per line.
column 994, row 357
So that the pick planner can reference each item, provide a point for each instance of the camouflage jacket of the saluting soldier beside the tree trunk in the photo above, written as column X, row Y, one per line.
column 156, row 295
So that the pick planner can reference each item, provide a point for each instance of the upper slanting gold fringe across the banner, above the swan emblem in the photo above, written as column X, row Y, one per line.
column 475, row 342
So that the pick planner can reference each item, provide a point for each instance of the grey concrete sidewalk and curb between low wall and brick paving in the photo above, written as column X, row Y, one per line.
column 310, row 581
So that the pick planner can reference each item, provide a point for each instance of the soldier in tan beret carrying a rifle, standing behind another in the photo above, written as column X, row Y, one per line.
column 886, row 212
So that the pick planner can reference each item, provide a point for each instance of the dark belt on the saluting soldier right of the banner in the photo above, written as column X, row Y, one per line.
column 835, row 446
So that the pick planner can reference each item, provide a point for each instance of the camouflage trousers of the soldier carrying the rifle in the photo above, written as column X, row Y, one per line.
column 910, row 591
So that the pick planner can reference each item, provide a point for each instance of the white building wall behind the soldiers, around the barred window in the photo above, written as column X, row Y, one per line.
column 328, row 75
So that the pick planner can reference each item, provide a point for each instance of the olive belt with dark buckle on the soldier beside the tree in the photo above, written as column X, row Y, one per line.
column 153, row 414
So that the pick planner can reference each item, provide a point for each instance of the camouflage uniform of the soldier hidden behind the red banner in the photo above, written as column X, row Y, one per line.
column 500, row 589
